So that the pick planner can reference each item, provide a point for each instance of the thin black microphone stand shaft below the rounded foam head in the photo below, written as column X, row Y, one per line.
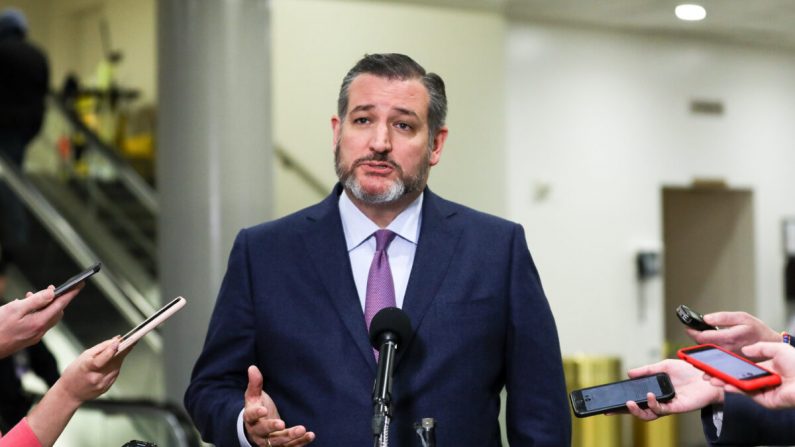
column 382, row 392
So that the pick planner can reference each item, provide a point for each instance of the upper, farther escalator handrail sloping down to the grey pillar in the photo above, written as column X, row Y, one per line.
column 145, row 194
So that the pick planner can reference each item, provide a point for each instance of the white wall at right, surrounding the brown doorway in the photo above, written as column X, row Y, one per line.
column 602, row 120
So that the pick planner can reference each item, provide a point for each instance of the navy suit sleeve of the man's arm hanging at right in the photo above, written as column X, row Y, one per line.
column 537, row 407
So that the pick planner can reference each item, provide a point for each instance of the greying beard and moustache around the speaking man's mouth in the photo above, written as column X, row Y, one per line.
column 401, row 186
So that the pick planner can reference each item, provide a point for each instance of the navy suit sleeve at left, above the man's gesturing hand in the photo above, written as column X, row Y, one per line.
column 215, row 396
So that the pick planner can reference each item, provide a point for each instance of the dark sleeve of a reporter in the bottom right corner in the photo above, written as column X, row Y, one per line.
column 747, row 423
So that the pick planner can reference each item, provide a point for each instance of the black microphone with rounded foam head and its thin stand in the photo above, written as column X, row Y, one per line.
column 389, row 328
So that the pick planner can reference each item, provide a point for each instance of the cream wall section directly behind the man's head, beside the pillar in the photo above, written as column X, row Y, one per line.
column 315, row 42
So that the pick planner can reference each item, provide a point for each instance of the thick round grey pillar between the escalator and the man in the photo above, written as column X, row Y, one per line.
column 214, row 169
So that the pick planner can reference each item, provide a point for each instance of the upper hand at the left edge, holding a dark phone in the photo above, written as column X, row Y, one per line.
column 24, row 322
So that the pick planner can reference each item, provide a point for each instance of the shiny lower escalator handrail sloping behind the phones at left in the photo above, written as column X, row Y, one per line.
column 123, row 295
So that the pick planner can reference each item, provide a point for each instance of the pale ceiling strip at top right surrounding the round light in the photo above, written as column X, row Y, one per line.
column 756, row 22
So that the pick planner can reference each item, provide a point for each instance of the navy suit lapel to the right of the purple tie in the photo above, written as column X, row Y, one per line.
column 435, row 249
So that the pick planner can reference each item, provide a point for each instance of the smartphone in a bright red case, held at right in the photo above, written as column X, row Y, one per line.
column 729, row 367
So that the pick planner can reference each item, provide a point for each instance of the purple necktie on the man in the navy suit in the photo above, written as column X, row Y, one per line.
column 380, row 287
